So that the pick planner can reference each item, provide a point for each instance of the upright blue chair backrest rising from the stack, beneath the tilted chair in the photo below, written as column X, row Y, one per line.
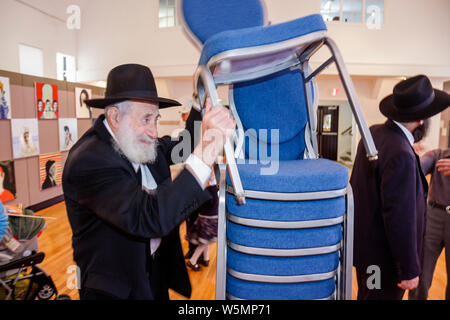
column 275, row 102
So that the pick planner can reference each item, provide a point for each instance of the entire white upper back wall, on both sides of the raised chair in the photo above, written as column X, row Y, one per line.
column 412, row 40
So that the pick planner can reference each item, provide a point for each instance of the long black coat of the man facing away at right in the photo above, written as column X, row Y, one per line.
column 390, row 205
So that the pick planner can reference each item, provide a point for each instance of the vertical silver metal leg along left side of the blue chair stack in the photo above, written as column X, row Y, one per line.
column 221, row 273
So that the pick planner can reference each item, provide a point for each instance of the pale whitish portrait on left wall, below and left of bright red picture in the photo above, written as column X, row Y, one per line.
column 25, row 137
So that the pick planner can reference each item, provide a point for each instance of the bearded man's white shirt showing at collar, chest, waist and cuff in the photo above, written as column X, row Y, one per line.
column 199, row 169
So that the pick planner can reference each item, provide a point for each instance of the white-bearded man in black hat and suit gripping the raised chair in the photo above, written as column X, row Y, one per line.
column 123, row 207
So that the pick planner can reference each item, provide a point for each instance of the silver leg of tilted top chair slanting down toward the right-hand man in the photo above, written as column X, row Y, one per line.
column 372, row 152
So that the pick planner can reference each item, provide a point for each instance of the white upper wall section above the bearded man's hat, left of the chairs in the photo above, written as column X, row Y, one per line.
column 115, row 32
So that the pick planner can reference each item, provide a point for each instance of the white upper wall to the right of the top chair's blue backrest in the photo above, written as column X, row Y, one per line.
column 414, row 38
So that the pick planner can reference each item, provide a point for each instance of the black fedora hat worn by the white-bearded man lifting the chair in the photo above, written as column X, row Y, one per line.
column 131, row 82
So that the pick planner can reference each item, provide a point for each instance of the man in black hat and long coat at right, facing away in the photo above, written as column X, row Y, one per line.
column 390, row 194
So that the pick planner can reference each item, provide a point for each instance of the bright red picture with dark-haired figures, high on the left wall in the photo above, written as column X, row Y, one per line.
column 47, row 102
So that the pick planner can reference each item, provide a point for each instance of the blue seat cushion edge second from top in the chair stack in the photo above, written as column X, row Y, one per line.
column 287, row 211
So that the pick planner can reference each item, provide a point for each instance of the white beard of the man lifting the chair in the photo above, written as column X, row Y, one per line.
column 128, row 144
